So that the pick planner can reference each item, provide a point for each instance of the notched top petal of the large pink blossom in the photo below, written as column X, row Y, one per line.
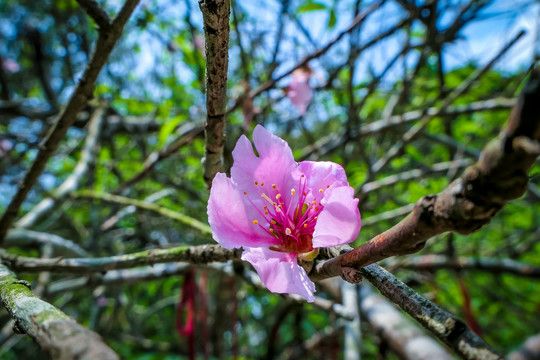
column 275, row 164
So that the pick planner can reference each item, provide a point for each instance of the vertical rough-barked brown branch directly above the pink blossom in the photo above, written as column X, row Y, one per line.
column 216, row 15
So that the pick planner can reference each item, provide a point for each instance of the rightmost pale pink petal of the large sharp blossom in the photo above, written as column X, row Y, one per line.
column 339, row 222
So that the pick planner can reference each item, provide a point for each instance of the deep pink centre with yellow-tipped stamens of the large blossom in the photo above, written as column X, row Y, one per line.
column 290, row 221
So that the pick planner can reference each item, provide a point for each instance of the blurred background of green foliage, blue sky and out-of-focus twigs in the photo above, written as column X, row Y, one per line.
column 365, row 85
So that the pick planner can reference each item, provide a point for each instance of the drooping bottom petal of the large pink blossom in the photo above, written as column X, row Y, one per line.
column 280, row 272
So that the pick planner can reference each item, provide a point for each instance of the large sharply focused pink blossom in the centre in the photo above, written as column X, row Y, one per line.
column 278, row 209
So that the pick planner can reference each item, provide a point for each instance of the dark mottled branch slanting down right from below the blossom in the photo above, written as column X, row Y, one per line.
column 449, row 329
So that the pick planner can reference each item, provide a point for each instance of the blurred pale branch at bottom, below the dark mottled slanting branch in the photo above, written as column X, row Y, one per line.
column 397, row 330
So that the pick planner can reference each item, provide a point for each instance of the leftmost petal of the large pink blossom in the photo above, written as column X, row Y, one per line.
column 231, row 219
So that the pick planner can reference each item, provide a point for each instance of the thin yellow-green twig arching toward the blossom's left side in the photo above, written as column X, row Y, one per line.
column 188, row 220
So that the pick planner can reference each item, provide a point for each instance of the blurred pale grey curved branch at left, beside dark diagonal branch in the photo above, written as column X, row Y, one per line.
column 72, row 181
